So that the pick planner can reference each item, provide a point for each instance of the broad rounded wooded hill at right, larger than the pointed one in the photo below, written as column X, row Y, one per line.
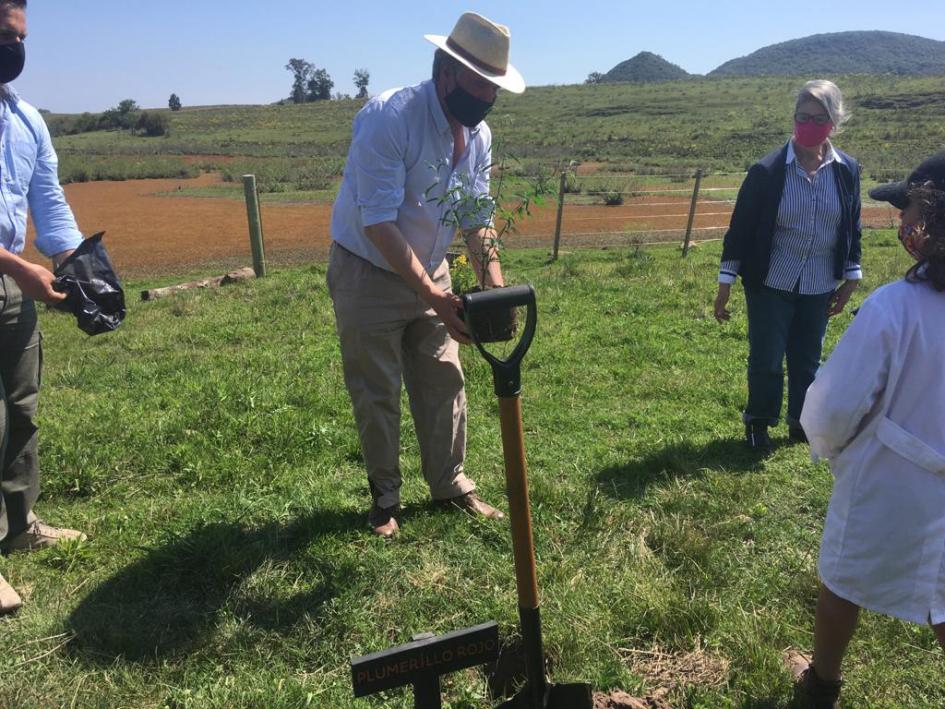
column 843, row 53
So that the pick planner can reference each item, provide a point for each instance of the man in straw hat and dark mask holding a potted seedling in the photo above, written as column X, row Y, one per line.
column 392, row 222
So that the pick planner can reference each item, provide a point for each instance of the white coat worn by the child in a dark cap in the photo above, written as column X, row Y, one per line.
column 877, row 412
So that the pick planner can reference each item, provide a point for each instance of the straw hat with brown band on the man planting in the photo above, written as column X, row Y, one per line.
column 483, row 46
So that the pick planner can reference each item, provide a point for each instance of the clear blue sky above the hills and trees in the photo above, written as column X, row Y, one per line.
column 87, row 55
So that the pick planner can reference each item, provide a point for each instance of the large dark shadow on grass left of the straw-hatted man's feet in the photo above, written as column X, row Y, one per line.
column 170, row 601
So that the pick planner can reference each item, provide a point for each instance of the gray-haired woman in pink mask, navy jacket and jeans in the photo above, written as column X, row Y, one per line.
column 794, row 239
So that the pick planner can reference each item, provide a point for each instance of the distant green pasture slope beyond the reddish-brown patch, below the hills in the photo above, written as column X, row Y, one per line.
column 714, row 124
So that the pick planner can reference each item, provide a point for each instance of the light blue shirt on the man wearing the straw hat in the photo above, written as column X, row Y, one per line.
column 400, row 170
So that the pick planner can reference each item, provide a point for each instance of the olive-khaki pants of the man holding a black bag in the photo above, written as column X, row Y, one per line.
column 21, row 359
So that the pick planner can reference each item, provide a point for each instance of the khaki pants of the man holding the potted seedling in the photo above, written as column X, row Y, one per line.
column 388, row 335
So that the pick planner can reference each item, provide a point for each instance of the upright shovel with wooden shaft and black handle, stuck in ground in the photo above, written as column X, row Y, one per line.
column 537, row 693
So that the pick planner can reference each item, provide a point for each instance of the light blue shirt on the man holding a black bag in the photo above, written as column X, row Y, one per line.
column 29, row 181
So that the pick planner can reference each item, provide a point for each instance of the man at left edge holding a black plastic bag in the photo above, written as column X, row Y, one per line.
column 29, row 182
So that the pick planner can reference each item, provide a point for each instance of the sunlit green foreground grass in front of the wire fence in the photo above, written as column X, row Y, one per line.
column 208, row 450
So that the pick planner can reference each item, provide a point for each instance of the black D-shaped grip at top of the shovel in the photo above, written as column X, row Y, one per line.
column 506, row 373
